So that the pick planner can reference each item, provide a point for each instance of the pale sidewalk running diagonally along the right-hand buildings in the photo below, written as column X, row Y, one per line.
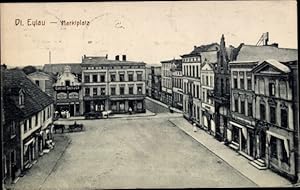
column 263, row 178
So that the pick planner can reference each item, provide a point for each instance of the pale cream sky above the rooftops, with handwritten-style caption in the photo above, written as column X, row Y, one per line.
column 144, row 31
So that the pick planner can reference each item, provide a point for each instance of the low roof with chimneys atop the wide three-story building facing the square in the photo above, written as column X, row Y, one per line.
column 89, row 60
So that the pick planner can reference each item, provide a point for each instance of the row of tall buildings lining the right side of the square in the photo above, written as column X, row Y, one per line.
column 246, row 97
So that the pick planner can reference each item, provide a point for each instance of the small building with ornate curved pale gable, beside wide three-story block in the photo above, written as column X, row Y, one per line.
column 67, row 93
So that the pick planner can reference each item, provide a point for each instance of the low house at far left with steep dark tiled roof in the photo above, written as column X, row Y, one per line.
column 28, row 121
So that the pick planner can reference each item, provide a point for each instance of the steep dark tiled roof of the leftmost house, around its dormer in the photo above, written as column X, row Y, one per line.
column 35, row 99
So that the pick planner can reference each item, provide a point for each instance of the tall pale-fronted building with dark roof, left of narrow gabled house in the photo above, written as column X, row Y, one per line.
column 191, row 68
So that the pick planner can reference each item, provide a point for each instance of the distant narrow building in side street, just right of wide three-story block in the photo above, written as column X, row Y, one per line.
column 154, row 81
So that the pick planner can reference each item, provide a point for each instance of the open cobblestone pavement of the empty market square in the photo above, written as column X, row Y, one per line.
column 132, row 153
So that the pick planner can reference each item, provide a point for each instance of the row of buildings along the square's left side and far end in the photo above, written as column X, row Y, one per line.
column 31, row 103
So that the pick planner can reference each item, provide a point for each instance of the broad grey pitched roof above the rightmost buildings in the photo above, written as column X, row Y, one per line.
column 261, row 53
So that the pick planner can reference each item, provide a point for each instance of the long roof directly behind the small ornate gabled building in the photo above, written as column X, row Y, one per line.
column 59, row 68
